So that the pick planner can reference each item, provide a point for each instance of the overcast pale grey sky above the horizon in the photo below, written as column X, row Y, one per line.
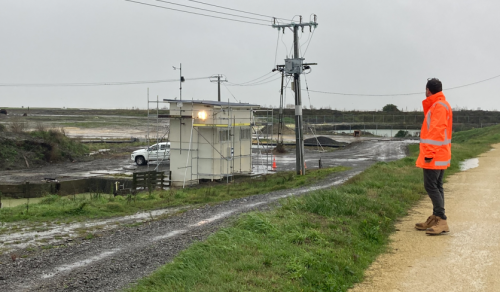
column 363, row 47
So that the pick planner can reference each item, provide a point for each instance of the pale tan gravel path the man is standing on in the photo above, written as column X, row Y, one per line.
column 467, row 259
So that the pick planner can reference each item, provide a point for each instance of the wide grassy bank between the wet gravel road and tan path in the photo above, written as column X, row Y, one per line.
column 320, row 242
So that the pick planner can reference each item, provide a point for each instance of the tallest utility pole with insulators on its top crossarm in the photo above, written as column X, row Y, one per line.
column 295, row 67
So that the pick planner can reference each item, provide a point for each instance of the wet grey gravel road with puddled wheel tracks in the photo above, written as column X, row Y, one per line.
column 118, row 257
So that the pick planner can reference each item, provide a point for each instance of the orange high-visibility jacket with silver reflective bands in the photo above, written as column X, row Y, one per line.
column 435, row 135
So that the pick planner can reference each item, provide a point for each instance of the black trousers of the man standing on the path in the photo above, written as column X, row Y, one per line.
column 433, row 183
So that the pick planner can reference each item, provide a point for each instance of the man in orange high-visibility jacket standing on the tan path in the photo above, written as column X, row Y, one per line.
column 435, row 153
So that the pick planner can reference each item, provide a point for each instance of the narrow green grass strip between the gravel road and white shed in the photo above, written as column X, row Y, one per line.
column 104, row 205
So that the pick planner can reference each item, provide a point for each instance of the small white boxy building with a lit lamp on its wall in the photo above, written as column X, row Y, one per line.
column 209, row 140
